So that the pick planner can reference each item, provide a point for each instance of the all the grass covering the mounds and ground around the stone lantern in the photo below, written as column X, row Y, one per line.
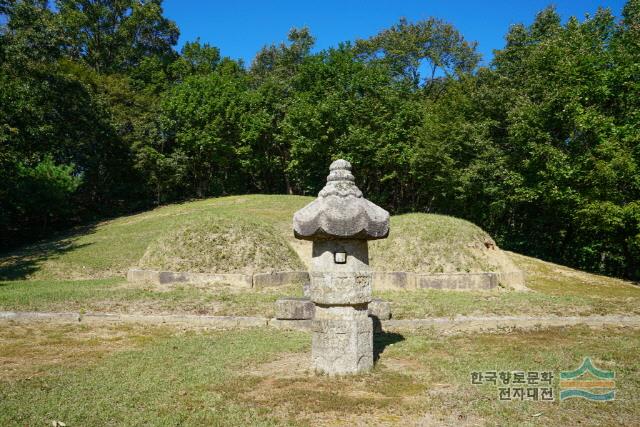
column 137, row 375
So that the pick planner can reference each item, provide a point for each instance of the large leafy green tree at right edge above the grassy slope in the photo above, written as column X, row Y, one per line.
column 562, row 112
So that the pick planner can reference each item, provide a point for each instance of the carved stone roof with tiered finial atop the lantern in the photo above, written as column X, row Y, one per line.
column 340, row 211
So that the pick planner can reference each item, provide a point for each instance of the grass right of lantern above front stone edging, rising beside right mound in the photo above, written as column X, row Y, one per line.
column 555, row 290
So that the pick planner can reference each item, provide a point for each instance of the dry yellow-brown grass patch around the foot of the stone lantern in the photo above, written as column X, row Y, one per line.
column 290, row 386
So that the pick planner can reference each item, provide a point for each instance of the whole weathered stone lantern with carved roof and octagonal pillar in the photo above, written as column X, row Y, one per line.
column 339, row 223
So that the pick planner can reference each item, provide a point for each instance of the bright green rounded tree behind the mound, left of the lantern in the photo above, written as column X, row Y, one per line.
column 200, row 118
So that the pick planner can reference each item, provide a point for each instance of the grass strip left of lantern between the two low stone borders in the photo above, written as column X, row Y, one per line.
column 114, row 295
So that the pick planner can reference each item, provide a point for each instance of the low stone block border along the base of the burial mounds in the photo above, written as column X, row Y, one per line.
column 382, row 280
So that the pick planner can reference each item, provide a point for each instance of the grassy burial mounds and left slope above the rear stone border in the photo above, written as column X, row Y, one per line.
column 237, row 234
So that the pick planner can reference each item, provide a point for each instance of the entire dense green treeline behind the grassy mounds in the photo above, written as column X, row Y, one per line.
column 100, row 115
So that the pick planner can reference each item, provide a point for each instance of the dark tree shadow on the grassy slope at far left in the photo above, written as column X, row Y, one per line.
column 20, row 263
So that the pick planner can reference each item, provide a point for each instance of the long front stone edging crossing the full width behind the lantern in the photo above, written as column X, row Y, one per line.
column 458, row 323
